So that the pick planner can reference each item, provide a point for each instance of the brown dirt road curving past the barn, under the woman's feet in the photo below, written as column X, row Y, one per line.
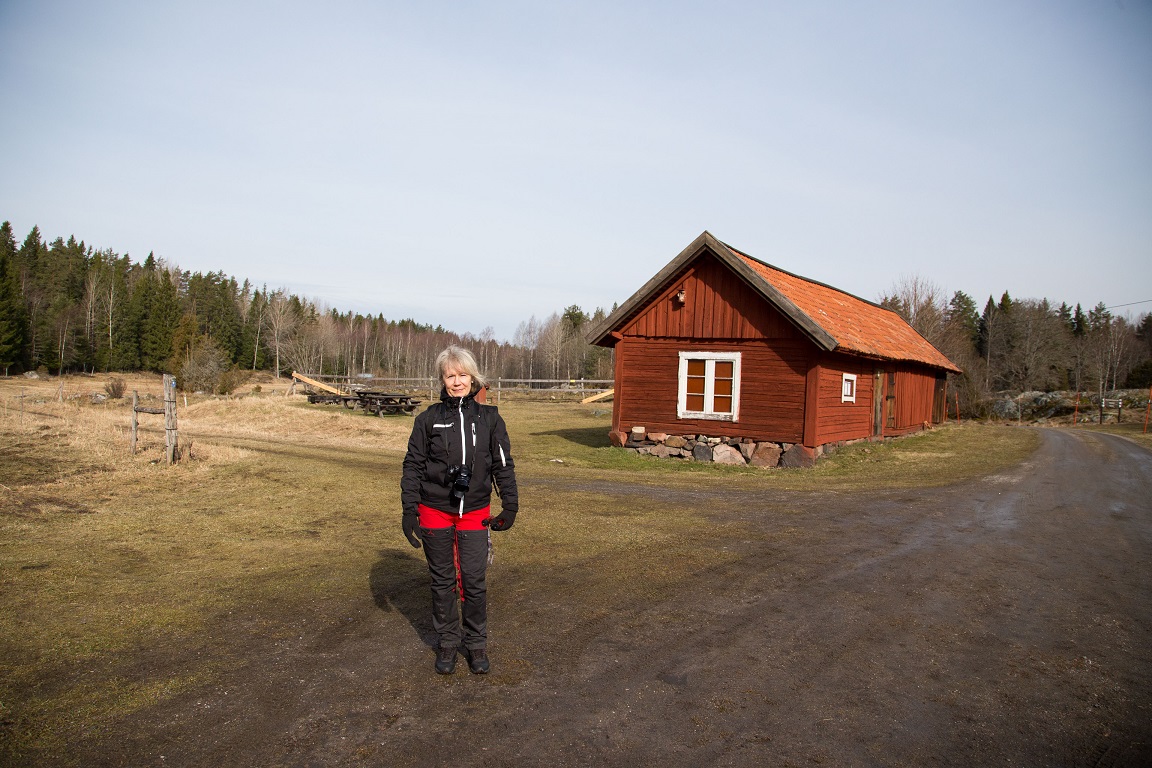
column 1004, row 622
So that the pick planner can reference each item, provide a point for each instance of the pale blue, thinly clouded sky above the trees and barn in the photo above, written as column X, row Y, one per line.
column 476, row 164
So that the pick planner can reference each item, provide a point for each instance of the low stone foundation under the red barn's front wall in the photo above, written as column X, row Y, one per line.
column 721, row 451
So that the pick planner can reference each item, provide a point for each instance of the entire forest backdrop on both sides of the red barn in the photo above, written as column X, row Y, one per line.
column 67, row 308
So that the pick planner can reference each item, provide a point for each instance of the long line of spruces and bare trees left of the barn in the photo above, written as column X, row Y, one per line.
column 69, row 308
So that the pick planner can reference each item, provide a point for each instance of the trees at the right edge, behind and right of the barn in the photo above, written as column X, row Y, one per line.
column 1027, row 345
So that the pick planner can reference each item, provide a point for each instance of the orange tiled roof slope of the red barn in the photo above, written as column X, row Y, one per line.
column 859, row 328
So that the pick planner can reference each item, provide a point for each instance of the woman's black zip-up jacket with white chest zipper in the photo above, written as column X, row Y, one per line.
column 458, row 432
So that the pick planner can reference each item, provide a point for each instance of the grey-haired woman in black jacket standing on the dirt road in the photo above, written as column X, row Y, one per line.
column 459, row 448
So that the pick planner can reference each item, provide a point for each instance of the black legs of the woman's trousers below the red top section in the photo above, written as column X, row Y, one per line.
column 441, row 549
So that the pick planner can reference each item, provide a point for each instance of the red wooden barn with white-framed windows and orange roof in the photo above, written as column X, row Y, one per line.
column 724, row 346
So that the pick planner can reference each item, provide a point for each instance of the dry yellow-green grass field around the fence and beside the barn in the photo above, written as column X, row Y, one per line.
column 116, row 569
